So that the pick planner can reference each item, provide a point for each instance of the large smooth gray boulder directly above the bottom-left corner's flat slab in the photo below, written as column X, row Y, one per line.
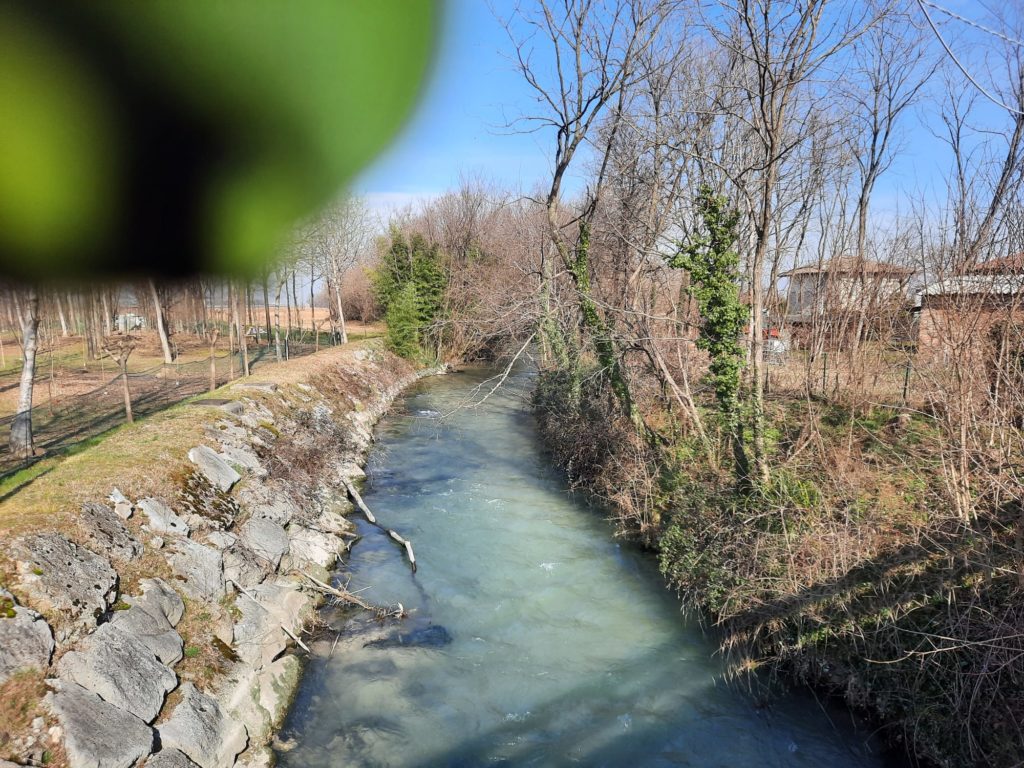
column 121, row 670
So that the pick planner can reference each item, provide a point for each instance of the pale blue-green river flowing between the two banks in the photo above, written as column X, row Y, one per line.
column 537, row 638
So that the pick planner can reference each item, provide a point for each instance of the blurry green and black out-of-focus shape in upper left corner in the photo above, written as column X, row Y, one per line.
column 176, row 138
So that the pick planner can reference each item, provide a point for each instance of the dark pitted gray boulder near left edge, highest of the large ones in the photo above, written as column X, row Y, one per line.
column 65, row 580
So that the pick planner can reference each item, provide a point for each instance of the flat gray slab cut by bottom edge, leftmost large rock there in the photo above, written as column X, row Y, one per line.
column 98, row 735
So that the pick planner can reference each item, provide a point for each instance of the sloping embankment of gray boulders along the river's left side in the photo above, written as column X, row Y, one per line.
column 162, row 627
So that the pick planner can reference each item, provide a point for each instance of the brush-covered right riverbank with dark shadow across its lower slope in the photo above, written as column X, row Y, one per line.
column 849, row 571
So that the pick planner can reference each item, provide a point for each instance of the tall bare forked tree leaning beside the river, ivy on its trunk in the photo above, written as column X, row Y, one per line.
column 595, row 52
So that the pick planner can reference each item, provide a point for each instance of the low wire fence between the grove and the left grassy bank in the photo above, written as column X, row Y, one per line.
column 61, row 421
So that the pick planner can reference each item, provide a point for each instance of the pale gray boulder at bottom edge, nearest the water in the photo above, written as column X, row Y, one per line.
column 200, row 729
